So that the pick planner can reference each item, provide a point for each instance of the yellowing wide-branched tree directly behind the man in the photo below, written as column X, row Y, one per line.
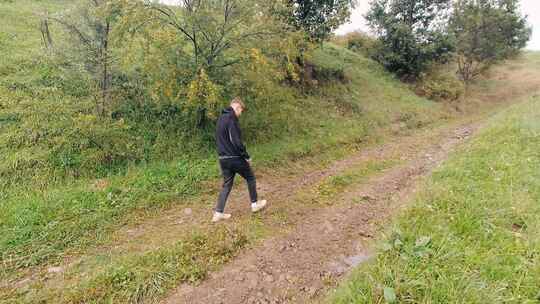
column 198, row 43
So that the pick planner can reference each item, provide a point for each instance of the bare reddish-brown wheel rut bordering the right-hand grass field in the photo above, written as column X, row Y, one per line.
column 299, row 266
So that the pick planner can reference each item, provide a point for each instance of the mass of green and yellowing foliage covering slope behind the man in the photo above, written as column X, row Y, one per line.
column 115, row 81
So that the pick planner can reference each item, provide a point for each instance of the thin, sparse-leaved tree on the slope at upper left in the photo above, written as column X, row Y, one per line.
column 89, row 26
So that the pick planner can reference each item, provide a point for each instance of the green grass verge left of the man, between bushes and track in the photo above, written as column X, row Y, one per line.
column 43, row 223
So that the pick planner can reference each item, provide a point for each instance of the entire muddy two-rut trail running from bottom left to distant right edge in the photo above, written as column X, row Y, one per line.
column 308, row 245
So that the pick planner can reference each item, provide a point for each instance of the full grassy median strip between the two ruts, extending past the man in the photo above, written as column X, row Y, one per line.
column 146, row 275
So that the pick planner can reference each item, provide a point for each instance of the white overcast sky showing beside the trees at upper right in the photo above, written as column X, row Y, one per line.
column 529, row 7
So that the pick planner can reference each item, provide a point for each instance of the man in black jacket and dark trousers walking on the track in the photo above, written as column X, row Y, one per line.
column 233, row 158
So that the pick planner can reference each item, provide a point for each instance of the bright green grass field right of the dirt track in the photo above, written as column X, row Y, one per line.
column 473, row 234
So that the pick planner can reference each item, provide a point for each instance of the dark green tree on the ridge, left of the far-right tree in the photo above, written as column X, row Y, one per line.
column 412, row 34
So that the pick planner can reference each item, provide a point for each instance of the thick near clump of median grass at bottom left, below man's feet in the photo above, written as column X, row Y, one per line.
column 141, row 278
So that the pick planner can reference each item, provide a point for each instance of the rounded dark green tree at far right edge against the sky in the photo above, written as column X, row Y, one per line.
column 486, row 31
